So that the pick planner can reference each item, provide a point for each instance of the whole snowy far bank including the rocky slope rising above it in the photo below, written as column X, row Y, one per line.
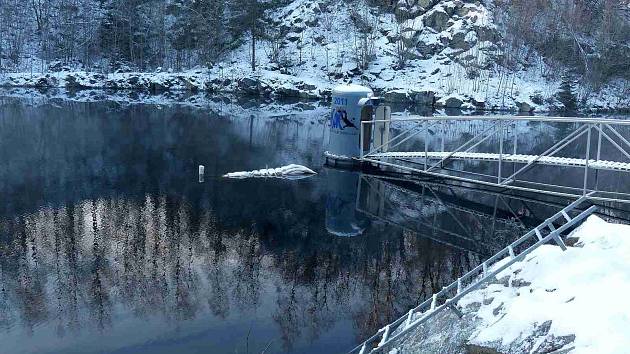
column 452, row 52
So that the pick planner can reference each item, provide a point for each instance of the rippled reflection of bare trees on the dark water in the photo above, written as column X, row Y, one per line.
column 76, row 264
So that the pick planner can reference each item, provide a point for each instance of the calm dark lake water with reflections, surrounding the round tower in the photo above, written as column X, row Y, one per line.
column 110, row 244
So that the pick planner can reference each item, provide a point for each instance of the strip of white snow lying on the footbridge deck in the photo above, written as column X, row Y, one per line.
column 480, row 156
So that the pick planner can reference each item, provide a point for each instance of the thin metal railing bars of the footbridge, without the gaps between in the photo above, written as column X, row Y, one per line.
column 584, row 126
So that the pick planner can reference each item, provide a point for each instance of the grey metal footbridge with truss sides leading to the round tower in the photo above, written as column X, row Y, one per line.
column 596, row 150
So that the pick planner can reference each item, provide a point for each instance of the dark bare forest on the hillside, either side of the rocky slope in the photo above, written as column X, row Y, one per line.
column 590, row 37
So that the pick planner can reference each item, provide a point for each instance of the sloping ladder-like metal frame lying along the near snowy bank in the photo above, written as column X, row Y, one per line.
column 448, row 297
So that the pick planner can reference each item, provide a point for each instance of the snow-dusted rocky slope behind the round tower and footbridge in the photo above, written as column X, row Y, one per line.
column 441, row 53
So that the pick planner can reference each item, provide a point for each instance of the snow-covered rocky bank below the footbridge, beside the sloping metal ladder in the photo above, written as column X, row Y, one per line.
column 553, row 301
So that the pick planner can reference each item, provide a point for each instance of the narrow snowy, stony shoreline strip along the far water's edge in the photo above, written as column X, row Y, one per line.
column 285, row 87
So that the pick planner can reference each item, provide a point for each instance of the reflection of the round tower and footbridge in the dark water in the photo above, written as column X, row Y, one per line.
column 464, row 218
